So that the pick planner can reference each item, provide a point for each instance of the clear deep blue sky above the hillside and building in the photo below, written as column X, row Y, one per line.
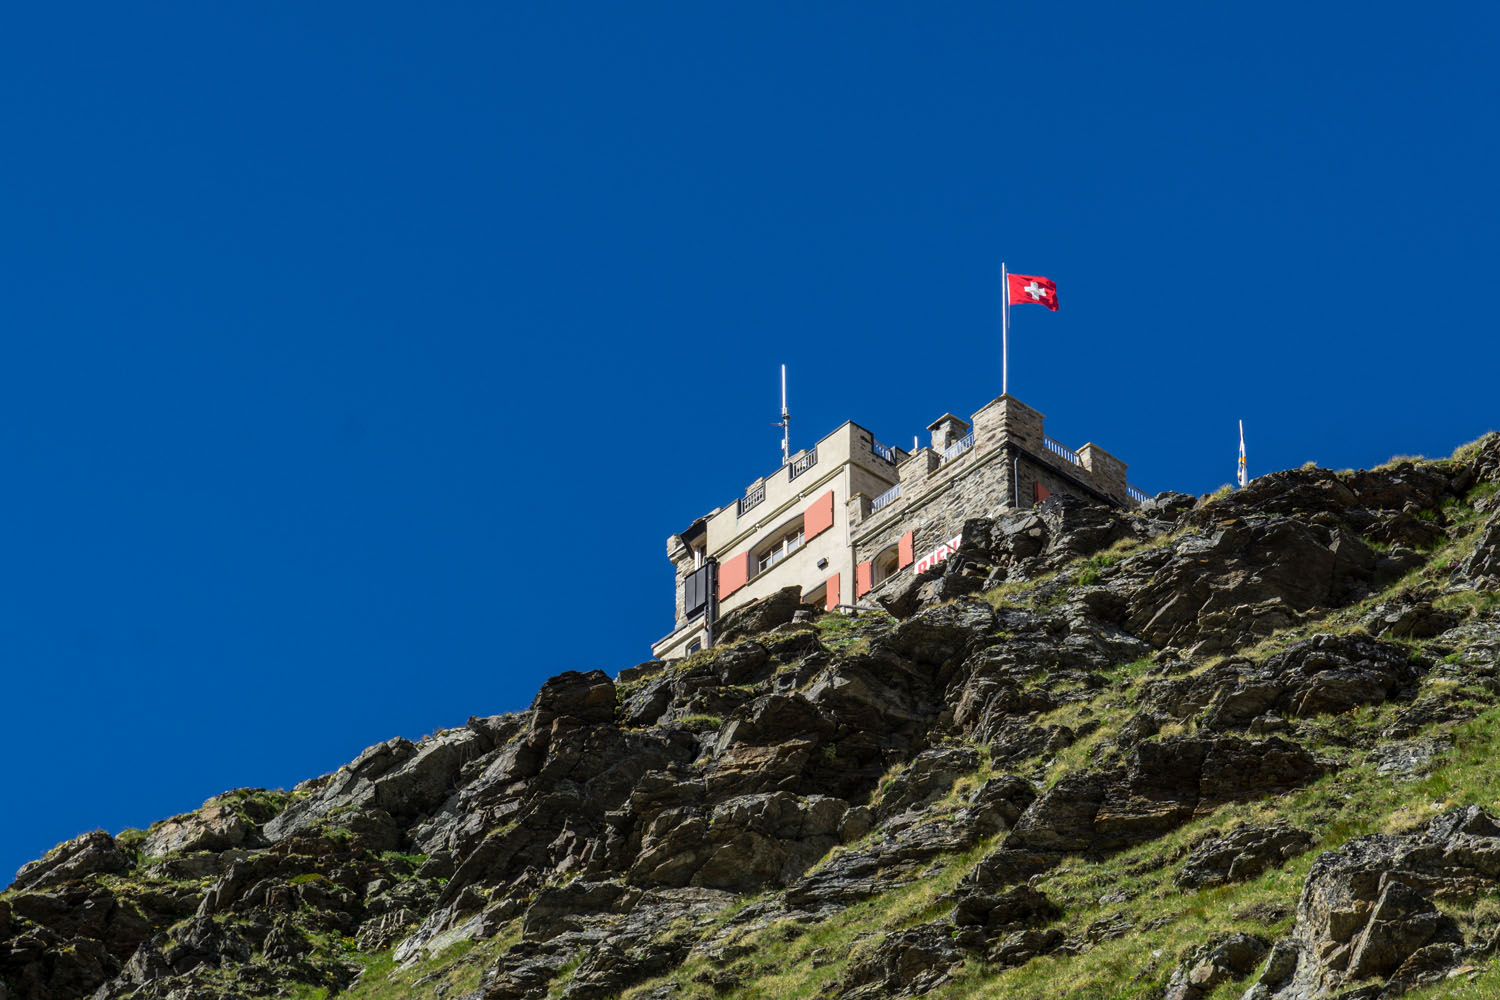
column 361, row 358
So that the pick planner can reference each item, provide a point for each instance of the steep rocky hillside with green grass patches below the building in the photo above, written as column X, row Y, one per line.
column 1237, row 746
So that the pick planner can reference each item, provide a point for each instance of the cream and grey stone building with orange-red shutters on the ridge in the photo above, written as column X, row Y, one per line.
column 845, row 516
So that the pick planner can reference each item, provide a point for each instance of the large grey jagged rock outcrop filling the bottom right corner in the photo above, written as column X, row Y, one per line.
column 1369, row 908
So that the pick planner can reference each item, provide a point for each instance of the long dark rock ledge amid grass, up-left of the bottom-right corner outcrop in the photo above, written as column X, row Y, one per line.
column 1162, row 786
